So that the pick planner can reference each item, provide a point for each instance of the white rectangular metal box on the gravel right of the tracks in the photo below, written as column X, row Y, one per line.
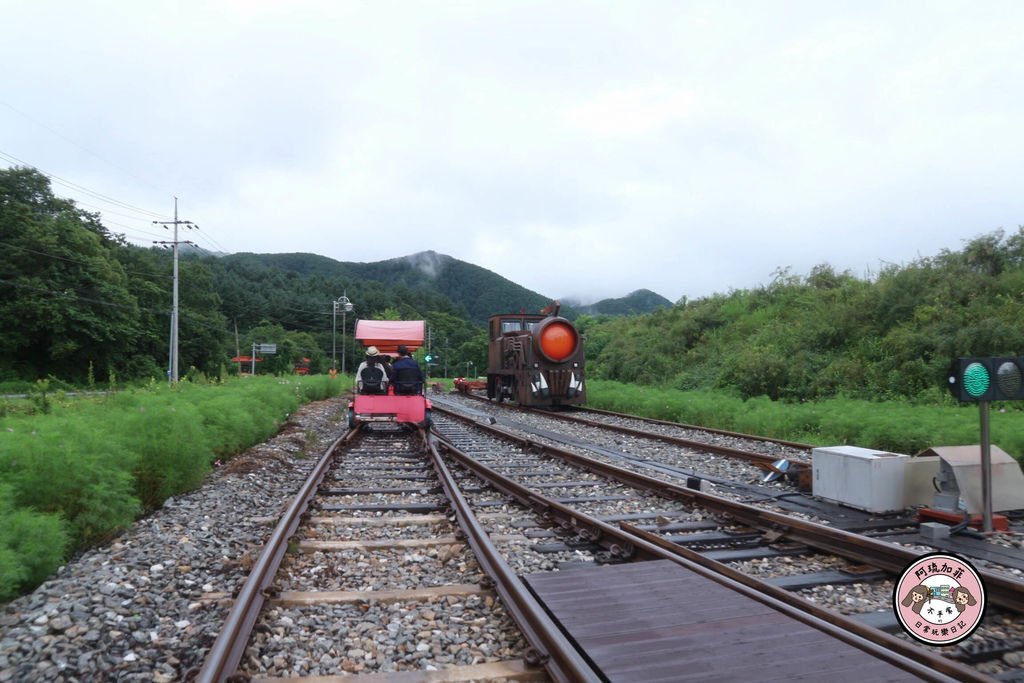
column 864, row 479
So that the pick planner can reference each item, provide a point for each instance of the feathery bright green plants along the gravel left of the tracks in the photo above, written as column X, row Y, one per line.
column 87, row 468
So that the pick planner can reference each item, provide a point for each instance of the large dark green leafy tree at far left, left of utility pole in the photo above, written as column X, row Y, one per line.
column 62, row 282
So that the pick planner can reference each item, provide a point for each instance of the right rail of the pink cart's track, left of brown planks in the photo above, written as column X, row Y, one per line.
column 556, row 653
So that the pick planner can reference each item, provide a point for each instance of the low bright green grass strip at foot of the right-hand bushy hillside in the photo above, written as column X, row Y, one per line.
column 893, row 426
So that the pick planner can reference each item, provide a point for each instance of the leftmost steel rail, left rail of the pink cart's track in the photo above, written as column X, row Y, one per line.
column 228, row 651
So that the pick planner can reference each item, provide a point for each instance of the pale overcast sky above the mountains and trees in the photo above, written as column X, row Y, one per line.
column 580, row 149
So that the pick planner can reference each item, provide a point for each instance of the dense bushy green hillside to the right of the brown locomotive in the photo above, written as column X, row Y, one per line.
column 830, row 334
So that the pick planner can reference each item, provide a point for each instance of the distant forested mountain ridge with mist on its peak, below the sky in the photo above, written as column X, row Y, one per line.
column 481, row 292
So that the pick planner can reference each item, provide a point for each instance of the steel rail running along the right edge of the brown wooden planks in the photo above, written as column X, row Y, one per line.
column 626, row 544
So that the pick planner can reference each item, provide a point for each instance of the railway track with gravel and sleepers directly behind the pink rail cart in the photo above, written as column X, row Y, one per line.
column 391, row 477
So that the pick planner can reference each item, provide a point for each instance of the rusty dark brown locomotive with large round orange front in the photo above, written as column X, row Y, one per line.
column 535, row 360
